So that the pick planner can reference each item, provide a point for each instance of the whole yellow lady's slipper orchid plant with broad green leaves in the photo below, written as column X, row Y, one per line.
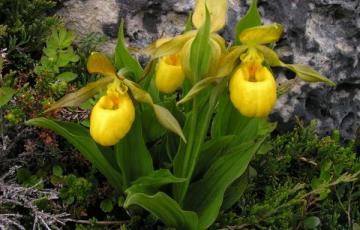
column 213, row 99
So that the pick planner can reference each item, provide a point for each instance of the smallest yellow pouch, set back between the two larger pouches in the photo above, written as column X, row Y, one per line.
column 169, row 74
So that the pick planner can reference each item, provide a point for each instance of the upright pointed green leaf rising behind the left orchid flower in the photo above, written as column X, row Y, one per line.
column 123, row 57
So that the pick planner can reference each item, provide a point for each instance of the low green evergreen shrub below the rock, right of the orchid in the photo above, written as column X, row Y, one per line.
column 303, row 178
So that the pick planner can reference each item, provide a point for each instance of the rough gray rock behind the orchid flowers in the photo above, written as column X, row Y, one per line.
column 322, row 33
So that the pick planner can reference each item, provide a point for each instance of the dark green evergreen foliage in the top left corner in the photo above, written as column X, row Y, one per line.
column 25, row 25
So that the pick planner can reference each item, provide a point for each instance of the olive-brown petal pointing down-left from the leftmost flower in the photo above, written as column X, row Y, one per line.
column 82, row 95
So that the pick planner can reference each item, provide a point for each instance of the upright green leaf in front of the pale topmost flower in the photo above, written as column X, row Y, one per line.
column 201, row 51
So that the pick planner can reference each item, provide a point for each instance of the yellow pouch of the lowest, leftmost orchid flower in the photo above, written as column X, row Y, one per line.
column 111, row 119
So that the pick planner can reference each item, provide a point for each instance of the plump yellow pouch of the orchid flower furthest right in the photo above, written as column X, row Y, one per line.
column 253, row 96
